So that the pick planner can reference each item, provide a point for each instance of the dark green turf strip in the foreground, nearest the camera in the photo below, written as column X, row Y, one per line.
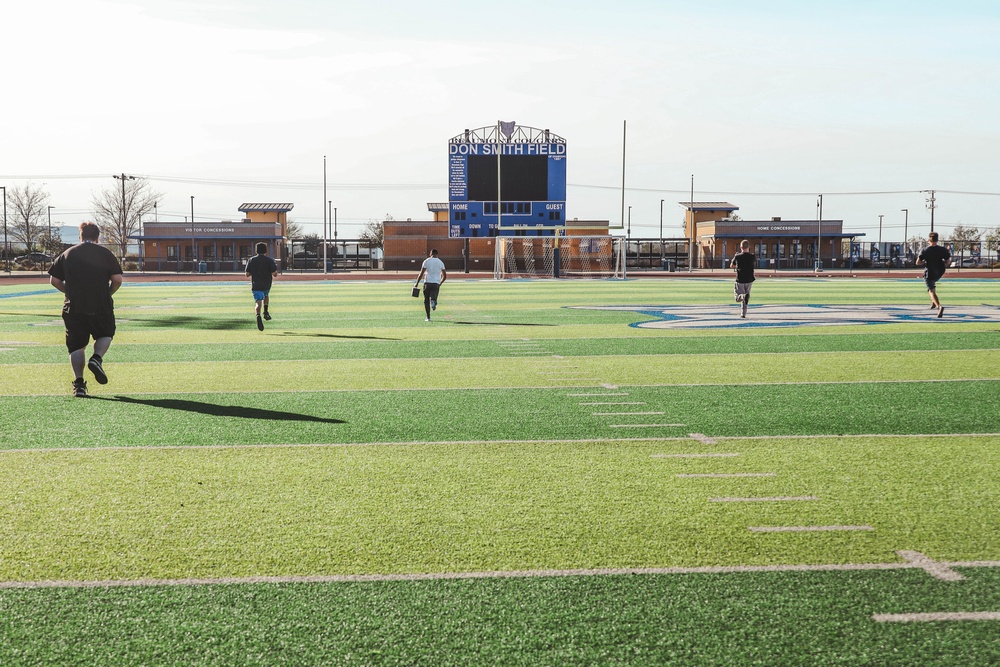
column 804, row 618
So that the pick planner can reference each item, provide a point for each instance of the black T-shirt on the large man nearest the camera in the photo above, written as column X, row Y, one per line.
column 86, row 269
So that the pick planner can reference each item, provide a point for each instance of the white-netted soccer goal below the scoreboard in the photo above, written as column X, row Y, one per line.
column 559, row 257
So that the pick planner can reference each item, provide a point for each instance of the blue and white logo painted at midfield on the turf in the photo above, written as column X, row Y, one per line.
column 782, row 315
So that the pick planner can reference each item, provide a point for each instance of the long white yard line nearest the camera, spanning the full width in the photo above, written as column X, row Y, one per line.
column 489, row 574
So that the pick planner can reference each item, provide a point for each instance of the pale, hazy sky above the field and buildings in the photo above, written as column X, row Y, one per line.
column 766, row 103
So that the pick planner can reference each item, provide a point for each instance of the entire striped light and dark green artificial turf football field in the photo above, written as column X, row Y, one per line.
column 351, row 437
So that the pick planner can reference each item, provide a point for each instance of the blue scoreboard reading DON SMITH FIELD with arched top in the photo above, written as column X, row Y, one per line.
column 506, row 182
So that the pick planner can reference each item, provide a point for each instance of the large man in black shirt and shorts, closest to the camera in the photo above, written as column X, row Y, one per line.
column 88, row 274
